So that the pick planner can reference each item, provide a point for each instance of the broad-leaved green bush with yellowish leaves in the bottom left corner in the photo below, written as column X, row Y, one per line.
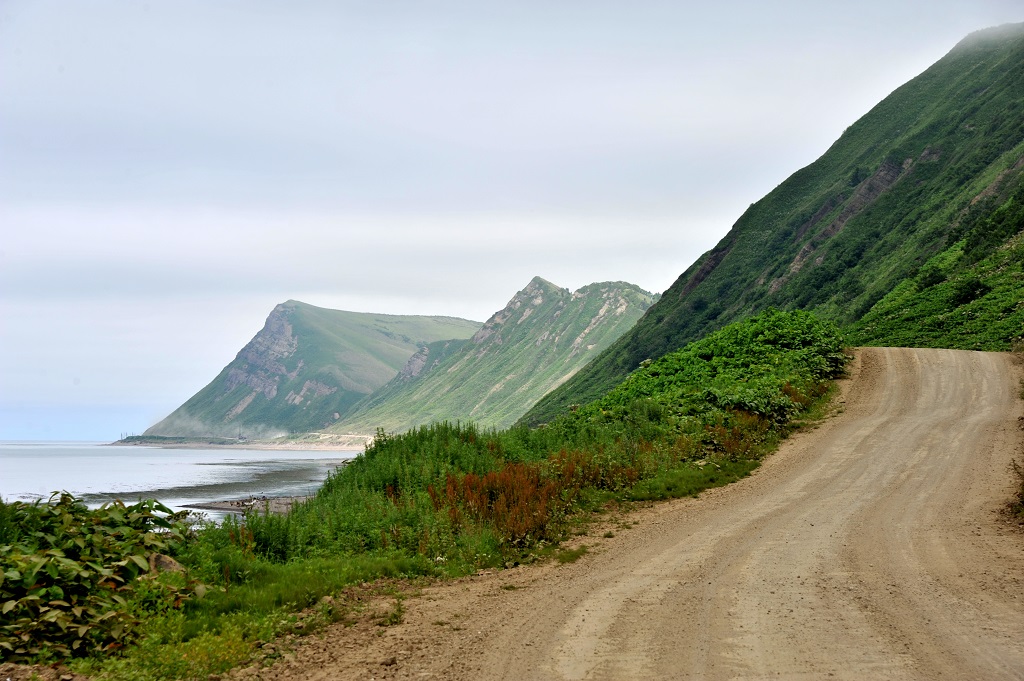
column 68, row 575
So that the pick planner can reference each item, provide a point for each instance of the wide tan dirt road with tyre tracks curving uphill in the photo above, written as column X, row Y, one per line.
column 869, row 548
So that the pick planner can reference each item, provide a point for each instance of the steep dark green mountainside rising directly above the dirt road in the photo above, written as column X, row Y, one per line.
column 903, row 232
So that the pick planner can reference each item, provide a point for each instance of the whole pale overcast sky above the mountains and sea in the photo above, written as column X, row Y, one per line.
column 170, row 172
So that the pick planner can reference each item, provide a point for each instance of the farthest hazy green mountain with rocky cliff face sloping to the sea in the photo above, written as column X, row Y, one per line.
column 305, row 370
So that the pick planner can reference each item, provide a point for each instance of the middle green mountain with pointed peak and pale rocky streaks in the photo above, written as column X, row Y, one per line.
column 541, row 338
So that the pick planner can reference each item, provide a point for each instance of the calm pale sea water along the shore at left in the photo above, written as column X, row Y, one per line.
column 101, row 474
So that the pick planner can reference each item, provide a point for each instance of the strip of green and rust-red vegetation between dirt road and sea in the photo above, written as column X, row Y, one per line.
column 440, row 501
